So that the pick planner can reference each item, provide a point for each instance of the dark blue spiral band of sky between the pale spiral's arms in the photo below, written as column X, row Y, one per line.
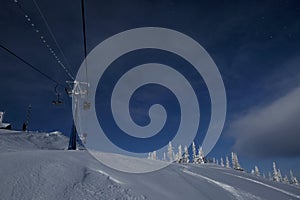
column 148, row 95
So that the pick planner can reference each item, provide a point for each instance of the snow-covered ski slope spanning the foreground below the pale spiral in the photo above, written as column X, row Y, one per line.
column 35, row 166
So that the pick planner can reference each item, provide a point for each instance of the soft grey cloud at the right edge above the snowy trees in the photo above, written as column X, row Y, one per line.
column 271, row 130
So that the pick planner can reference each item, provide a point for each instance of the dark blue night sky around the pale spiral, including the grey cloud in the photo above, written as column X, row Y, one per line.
column 255, row 45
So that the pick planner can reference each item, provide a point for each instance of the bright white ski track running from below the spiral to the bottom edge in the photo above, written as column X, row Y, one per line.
column 239, row 195
